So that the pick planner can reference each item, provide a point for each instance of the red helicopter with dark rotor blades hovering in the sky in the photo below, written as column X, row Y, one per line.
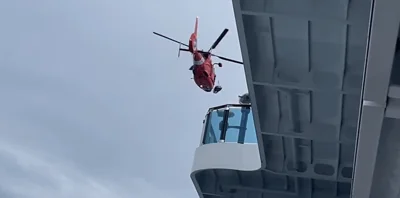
column 203, row 67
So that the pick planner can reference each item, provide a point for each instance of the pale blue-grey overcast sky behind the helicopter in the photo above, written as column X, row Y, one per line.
column 93, row 105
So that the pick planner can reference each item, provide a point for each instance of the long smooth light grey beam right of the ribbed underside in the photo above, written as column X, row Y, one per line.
column 382, row 41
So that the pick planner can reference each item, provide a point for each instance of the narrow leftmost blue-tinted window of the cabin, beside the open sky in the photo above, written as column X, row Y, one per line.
column 213, row 130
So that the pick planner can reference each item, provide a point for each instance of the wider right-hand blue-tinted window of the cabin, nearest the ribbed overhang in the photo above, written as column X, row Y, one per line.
column 240, row 126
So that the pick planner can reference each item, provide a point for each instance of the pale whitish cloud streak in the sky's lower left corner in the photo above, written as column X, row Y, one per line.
column 30, row 175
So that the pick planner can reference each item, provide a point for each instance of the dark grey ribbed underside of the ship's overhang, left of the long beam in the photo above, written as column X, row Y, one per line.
column 304, row 64
